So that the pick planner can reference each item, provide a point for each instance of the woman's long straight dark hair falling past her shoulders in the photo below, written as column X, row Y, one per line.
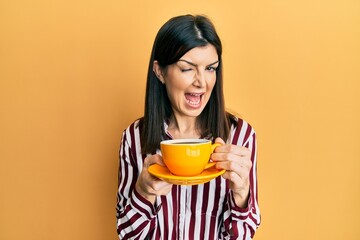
column 176, row 37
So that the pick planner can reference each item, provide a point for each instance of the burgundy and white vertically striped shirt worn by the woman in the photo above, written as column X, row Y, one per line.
column 204, row 211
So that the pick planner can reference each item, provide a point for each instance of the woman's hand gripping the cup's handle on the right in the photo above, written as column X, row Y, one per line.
column 237, row 163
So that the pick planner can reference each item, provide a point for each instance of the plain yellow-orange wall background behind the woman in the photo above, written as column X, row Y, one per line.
column 72, row 77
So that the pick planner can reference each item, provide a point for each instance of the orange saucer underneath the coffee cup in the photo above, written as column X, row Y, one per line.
column 164, row 174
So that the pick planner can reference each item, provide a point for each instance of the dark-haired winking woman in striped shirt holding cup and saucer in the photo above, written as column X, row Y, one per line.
column 184, row 99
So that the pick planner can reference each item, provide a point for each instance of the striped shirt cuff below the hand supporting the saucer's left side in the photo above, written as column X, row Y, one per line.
column 143, row 206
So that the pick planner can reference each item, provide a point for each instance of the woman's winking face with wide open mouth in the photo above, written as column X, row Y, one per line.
column 190, row 81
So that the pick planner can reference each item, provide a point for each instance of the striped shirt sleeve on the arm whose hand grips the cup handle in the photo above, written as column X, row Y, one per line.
column 242, row 223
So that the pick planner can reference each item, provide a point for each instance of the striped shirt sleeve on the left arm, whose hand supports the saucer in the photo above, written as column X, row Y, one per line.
column 136, row 216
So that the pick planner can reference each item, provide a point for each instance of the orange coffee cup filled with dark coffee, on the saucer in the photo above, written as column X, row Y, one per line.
column 187, row 157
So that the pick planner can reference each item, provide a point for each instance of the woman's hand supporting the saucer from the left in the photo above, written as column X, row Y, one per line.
column 149, row 186
